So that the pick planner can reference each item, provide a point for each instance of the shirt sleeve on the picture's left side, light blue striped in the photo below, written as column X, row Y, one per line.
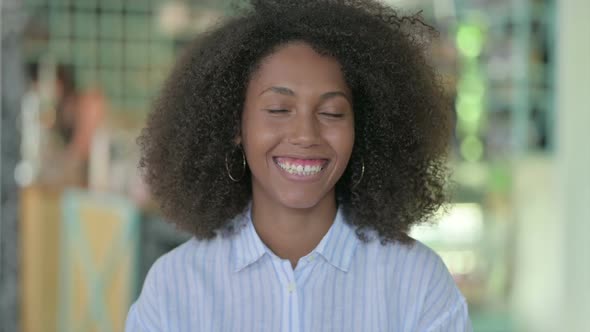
column 144, row 315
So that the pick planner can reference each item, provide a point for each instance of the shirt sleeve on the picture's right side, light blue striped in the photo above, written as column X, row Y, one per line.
column 445, row 308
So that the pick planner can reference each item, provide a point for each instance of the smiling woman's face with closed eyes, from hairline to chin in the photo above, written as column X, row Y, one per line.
column 297, row 127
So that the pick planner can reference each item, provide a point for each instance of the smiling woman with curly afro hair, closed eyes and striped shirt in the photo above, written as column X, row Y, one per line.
column 299, row 142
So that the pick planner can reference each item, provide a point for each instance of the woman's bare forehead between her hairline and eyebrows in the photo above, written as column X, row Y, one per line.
column 297, row 65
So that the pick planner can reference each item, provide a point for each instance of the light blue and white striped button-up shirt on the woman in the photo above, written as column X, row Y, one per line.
column 235, row 283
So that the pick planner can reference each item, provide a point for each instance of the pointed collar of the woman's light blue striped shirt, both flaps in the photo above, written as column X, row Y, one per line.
column 337, row 246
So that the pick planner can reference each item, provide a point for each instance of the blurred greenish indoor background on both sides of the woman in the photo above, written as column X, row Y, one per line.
column 78, row 229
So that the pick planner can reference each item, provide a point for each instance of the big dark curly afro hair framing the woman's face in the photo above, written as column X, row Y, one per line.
column 403, row 121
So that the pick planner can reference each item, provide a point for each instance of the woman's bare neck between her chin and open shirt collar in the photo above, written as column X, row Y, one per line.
column 293, row 233
